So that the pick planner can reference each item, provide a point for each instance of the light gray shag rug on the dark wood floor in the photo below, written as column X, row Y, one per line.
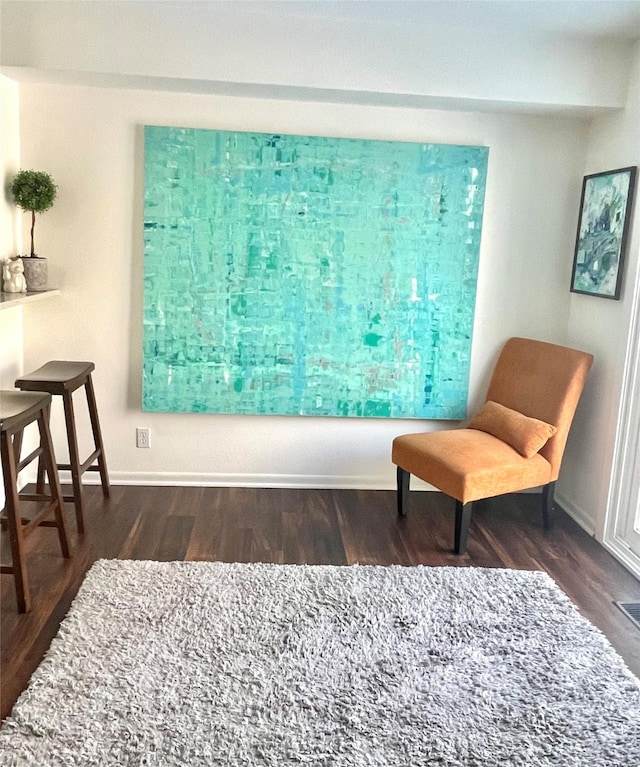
column 196, row 663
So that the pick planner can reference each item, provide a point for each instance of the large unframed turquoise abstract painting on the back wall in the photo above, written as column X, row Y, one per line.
column 307, row 275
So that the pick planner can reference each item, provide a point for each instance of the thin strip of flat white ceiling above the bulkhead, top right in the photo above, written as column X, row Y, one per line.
column 580, row 18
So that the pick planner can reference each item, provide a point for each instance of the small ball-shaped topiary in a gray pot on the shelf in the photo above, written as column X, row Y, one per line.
column 34, row 191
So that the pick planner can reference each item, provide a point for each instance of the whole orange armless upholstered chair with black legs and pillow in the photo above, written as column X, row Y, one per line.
column 515, row 442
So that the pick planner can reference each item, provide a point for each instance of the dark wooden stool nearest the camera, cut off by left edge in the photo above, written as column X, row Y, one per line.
column 18, row 410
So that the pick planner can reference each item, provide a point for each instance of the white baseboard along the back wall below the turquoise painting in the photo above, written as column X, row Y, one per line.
column 201, row 479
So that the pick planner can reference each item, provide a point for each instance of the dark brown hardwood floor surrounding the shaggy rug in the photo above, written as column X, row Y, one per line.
column 303, row 526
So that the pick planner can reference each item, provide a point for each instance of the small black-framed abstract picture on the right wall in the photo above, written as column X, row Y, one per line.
column 603, row 230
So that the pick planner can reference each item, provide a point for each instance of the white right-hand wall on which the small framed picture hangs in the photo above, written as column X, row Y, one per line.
column 603, row 327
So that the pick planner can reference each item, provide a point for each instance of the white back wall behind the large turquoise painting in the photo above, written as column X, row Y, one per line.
column 93, row 236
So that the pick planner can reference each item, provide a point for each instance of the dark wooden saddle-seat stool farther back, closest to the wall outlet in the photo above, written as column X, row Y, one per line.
column 63, row 378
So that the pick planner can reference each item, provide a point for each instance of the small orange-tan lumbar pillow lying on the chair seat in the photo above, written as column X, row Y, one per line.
column 524, row 434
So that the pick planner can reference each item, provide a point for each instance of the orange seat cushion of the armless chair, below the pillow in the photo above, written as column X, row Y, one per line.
column 468, row 464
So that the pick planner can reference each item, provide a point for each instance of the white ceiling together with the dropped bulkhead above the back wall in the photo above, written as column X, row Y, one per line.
column 507, row 55
